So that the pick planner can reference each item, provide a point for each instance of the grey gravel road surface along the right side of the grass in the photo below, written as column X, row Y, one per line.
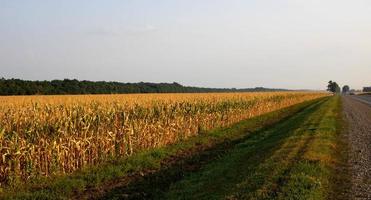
column 357, row 111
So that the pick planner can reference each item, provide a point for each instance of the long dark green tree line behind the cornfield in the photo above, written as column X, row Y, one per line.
column 73, row 86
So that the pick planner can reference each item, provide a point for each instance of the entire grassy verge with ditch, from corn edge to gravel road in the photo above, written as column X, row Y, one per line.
column 265, row 156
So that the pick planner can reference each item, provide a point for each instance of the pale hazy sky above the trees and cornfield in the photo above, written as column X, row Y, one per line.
column 293, row 44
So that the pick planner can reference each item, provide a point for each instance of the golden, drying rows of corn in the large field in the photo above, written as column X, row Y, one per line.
column 49, row 135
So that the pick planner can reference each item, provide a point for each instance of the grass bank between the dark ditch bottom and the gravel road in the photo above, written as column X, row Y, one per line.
column 295, row 159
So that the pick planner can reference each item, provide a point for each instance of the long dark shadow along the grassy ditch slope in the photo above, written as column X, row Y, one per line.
column 222, row 161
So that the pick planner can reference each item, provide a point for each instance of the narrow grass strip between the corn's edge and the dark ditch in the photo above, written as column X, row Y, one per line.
column 124, row 172
